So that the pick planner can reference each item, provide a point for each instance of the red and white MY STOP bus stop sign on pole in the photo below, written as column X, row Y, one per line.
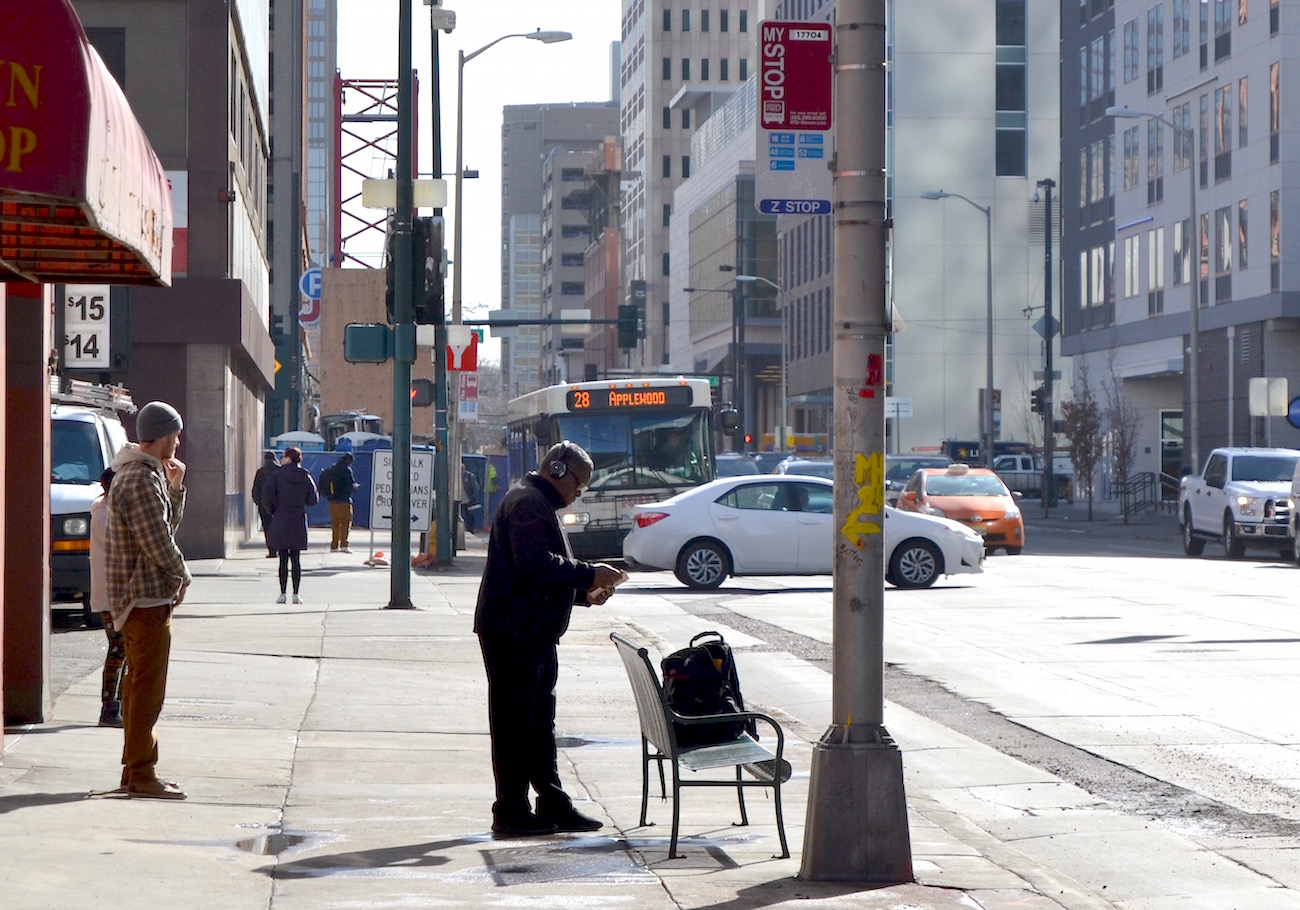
column 795, row 98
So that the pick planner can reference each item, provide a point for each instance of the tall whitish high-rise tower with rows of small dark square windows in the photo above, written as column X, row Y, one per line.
column 681, row 62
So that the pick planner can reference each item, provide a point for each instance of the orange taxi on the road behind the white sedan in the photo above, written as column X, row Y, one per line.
column 976, row 497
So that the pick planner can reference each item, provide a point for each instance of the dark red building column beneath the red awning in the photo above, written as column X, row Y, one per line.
column 27, row 505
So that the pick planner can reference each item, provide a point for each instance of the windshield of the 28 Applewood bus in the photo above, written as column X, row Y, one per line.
column 643, row 450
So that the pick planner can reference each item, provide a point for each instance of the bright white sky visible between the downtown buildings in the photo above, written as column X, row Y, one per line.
column 514, row 72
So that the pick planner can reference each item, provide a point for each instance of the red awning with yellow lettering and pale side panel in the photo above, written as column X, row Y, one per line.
column 83, row 196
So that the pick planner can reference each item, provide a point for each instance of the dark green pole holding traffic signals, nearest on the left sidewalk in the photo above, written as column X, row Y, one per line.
column 404, row 327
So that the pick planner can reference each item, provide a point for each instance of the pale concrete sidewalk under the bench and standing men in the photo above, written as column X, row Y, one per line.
column 336, row 756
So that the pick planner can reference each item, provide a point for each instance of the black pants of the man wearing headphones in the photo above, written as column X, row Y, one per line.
column 522, row 721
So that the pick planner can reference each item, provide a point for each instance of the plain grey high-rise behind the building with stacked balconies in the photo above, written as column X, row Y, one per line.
column 531, row 135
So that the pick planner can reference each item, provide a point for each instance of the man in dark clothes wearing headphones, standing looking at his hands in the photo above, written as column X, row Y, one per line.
column 530, row 586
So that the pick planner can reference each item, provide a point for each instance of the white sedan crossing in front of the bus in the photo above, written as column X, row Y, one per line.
column 783, row 525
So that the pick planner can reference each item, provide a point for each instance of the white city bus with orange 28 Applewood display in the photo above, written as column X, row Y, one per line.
column 649, row 439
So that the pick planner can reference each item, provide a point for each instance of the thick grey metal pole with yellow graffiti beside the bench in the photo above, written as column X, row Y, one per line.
column 857, row 814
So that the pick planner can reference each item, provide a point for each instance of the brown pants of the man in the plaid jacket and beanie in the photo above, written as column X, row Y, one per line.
column 149, row 648
